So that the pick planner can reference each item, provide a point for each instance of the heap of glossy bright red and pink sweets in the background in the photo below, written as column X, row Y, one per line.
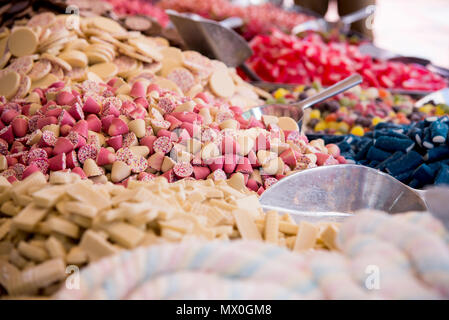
column 289, row 59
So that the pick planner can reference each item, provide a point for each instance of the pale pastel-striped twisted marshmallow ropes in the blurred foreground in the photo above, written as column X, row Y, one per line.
column 382, row 257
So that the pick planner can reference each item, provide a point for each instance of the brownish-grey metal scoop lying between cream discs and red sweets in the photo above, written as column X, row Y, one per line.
column 213, row 39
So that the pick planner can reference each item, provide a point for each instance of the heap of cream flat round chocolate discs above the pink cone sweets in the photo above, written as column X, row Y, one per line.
column 50, row 48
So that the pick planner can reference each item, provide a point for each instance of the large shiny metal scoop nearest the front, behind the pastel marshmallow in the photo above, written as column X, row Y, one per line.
column 336, row 192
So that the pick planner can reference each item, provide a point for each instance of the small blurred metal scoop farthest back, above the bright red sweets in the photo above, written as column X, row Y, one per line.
column 342, row 24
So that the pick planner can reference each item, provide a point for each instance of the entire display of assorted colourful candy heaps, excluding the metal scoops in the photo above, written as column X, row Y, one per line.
column 128, row 163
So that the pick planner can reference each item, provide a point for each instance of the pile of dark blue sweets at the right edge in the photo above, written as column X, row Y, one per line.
column 415, row 154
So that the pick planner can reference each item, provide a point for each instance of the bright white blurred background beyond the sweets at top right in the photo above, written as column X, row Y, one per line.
column 411, row 27
